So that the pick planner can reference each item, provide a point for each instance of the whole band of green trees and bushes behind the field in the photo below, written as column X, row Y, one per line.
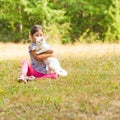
column 101, row 17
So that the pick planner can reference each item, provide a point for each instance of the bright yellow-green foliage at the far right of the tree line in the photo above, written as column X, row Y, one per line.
column 113, row 25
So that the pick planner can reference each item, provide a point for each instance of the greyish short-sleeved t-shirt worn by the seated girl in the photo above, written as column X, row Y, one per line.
column 39, row 66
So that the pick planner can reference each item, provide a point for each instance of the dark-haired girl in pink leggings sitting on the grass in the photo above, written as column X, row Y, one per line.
column 37, row 68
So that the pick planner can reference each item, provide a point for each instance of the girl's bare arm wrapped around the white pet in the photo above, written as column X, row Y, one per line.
column 43, row 55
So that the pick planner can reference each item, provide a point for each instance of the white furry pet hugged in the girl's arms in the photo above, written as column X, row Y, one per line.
column 52, row 63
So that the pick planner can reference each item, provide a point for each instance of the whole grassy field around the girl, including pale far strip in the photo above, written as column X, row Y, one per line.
column 91, row 91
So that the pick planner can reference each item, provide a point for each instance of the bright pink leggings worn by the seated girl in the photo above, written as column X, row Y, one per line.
column 29, row 71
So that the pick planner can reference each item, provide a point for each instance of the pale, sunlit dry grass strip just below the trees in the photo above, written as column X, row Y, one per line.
column 11, row 50
